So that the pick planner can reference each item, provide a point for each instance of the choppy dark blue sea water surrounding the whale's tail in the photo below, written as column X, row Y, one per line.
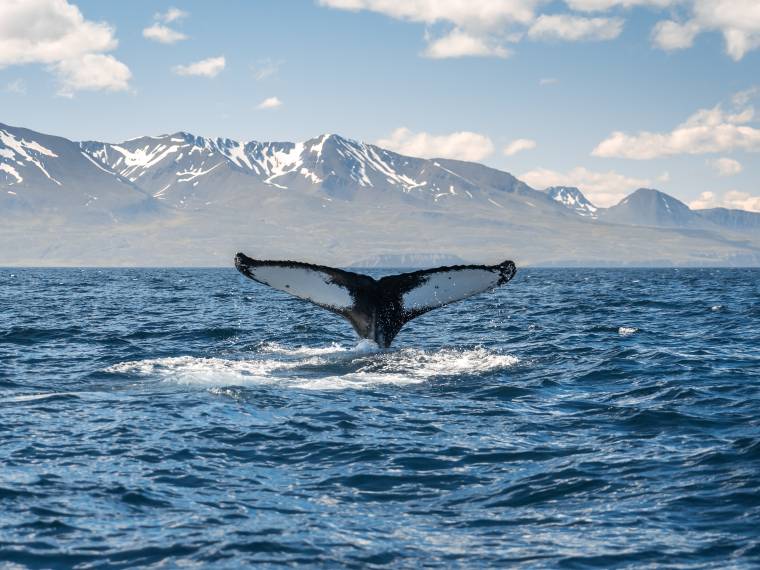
column 574, row 418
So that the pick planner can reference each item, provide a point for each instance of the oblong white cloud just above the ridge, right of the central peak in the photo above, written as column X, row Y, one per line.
column 462, row 145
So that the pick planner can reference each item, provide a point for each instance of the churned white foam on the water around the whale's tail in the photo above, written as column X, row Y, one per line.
column 333, row 367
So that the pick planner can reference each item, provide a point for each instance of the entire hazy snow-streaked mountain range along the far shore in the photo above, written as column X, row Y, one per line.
column 185, row 200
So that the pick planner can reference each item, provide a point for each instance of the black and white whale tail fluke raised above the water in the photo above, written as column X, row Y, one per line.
column 376, row 308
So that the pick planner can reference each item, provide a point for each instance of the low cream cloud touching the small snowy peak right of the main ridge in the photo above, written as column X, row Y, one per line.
column 602, row 188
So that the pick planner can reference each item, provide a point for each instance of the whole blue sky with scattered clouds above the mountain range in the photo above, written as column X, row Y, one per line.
column 606, row 95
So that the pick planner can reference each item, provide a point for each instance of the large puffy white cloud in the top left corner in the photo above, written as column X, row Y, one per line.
column 56, row 34
